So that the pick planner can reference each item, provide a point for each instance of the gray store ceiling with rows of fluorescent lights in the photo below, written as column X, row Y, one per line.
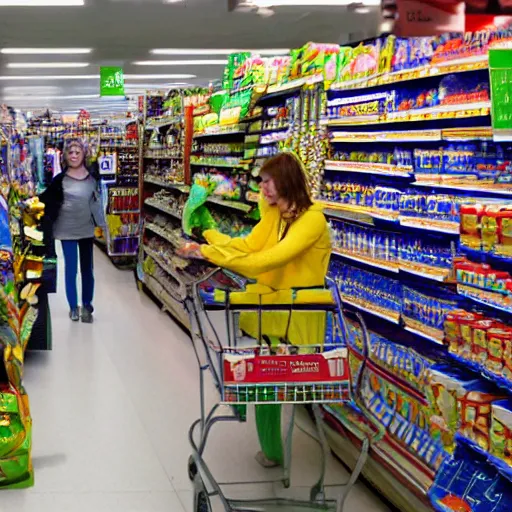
column 121, row 32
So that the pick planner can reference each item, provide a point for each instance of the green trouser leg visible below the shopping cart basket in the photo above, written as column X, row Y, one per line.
column 268, row 424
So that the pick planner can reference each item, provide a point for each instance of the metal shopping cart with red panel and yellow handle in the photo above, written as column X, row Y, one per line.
column 248, row 370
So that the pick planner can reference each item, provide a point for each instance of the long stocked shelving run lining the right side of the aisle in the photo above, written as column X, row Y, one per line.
column 396, row 232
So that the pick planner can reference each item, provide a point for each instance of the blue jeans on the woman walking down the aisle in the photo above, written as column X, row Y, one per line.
column 70, row 249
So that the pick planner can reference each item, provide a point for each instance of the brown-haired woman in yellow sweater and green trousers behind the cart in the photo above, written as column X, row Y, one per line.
column 289, row 248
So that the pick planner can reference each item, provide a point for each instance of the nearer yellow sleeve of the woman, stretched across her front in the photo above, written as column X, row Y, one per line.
column 303, row 234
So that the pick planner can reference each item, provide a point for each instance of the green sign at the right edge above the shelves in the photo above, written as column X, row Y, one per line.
column 500, row 69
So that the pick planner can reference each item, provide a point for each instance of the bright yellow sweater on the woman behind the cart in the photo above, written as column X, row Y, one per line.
column 299, row 260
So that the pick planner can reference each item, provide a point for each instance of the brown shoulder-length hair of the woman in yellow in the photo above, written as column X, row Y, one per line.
column 289, row 177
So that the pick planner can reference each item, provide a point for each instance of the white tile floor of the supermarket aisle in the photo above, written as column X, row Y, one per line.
column 112, row 404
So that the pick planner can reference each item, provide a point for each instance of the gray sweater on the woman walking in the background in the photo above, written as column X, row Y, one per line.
column 81, row 210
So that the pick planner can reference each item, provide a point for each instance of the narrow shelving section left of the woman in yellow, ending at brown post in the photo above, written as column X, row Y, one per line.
column 164, row 188
